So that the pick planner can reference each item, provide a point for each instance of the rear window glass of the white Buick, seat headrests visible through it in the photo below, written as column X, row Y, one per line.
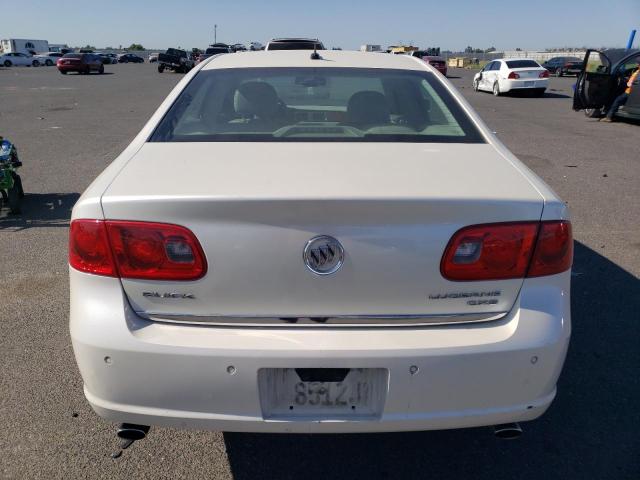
column 315, row 104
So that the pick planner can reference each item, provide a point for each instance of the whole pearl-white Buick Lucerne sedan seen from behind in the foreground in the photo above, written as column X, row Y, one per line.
column 318, row 244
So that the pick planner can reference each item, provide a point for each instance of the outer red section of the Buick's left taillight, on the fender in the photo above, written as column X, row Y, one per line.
column 89, row 248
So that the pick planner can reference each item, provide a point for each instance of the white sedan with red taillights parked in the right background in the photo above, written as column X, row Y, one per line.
column 512, row 74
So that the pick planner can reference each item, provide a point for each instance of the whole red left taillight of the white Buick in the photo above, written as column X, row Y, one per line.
column 146, row 250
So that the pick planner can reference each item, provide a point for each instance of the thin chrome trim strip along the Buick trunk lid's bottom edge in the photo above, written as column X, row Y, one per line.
column 334, row 321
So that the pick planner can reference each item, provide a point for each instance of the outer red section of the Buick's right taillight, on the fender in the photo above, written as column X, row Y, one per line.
column 554, row 249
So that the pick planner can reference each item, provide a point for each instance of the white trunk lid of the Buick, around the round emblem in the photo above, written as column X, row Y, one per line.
column 254, row 207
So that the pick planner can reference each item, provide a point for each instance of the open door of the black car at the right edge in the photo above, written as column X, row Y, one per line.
column 595, row 82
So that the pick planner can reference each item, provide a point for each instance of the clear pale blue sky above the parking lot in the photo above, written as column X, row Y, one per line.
column 449, row 24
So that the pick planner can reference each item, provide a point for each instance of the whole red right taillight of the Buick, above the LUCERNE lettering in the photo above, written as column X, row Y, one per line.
column 502, row 251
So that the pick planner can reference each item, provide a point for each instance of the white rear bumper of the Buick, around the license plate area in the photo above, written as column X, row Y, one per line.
column 173, row 375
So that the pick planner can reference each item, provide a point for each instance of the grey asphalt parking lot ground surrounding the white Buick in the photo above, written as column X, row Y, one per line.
column 68, row 128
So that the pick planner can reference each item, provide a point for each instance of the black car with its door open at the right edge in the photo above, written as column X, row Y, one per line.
column 604, row 76
